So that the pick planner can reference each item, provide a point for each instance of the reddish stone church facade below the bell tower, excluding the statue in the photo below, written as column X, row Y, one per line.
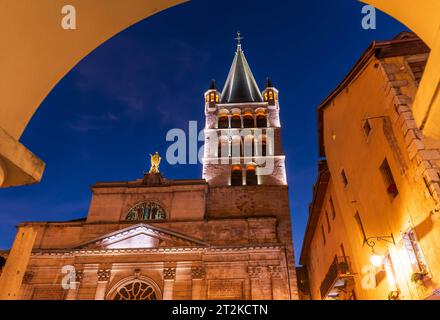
column 229, row 245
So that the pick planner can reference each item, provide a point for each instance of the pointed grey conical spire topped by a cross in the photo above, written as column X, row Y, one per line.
column 240, row 86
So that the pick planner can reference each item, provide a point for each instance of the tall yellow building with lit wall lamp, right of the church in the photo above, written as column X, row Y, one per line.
column 374, row 224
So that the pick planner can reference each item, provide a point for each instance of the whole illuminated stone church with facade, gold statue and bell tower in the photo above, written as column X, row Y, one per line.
column 227, row 236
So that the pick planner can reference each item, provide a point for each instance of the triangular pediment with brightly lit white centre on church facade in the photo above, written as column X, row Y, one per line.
column 142, row 236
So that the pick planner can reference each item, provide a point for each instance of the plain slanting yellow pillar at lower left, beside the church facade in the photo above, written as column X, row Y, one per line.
column 16, row 264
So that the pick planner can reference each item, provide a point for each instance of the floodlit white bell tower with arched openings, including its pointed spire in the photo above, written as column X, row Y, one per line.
column 243, row 131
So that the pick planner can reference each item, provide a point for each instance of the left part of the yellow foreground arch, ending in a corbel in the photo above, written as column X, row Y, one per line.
column 39, row 74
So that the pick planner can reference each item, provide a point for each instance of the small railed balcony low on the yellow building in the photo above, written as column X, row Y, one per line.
column 339, row 270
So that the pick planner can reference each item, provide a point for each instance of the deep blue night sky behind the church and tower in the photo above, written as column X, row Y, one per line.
column 112, row 110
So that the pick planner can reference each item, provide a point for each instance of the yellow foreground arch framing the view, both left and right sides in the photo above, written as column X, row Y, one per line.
column 17, row 110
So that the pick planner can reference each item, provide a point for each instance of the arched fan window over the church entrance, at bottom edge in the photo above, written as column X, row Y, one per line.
column 135, row 288
